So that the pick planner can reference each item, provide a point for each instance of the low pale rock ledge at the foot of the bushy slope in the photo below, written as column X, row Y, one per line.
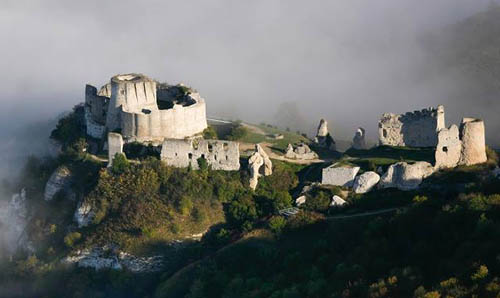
column 108, row 257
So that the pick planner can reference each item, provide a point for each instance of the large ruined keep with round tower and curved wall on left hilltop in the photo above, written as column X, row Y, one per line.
column 144, row 110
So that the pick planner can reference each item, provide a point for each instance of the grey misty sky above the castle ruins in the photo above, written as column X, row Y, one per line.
column 292, row 61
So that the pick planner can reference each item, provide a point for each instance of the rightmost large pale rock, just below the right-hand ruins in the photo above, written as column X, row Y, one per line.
column 406, row 176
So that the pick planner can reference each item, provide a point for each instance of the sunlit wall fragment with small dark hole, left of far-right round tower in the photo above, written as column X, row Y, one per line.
column 449, row 148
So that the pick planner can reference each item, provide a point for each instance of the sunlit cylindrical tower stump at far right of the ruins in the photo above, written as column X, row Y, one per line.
column 473, row 142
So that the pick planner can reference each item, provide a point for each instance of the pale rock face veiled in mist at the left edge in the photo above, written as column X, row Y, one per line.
column 13, row 221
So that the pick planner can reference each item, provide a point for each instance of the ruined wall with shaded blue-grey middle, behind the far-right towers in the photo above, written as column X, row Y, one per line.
column 417, row 129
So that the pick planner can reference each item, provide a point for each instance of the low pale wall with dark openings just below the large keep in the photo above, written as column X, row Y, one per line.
column 220, row 155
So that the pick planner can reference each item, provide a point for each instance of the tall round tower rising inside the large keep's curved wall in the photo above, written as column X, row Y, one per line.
column 131, row 93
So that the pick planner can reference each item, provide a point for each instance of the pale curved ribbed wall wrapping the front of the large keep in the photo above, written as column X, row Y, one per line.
column 176, row 123
